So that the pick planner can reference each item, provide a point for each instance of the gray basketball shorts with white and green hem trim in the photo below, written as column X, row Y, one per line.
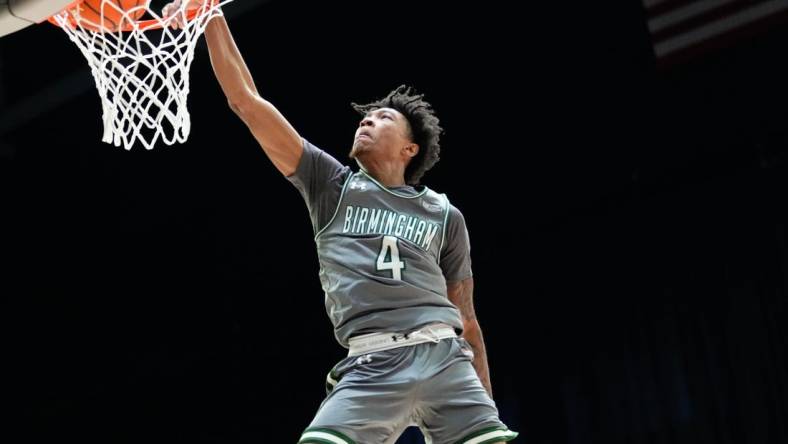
column 373, row 398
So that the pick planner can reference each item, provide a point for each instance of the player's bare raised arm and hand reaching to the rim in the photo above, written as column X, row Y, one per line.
column 273, row 132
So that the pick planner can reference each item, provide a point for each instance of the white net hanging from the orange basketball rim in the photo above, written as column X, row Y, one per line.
column 141, row 72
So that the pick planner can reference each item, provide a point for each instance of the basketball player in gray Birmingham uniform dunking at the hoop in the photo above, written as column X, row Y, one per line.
column 394, row 265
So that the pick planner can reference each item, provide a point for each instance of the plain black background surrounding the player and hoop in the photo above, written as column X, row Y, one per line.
column 627, row 222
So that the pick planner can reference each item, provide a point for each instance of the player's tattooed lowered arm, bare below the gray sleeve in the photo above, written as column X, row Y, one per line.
column 461, row 295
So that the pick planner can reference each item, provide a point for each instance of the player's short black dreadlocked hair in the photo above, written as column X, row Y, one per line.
column 425, row 129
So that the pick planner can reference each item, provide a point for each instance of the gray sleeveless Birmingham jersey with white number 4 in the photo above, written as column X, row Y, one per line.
column 379, row 260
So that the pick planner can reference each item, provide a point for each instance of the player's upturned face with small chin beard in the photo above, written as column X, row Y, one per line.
column 382, row 133
